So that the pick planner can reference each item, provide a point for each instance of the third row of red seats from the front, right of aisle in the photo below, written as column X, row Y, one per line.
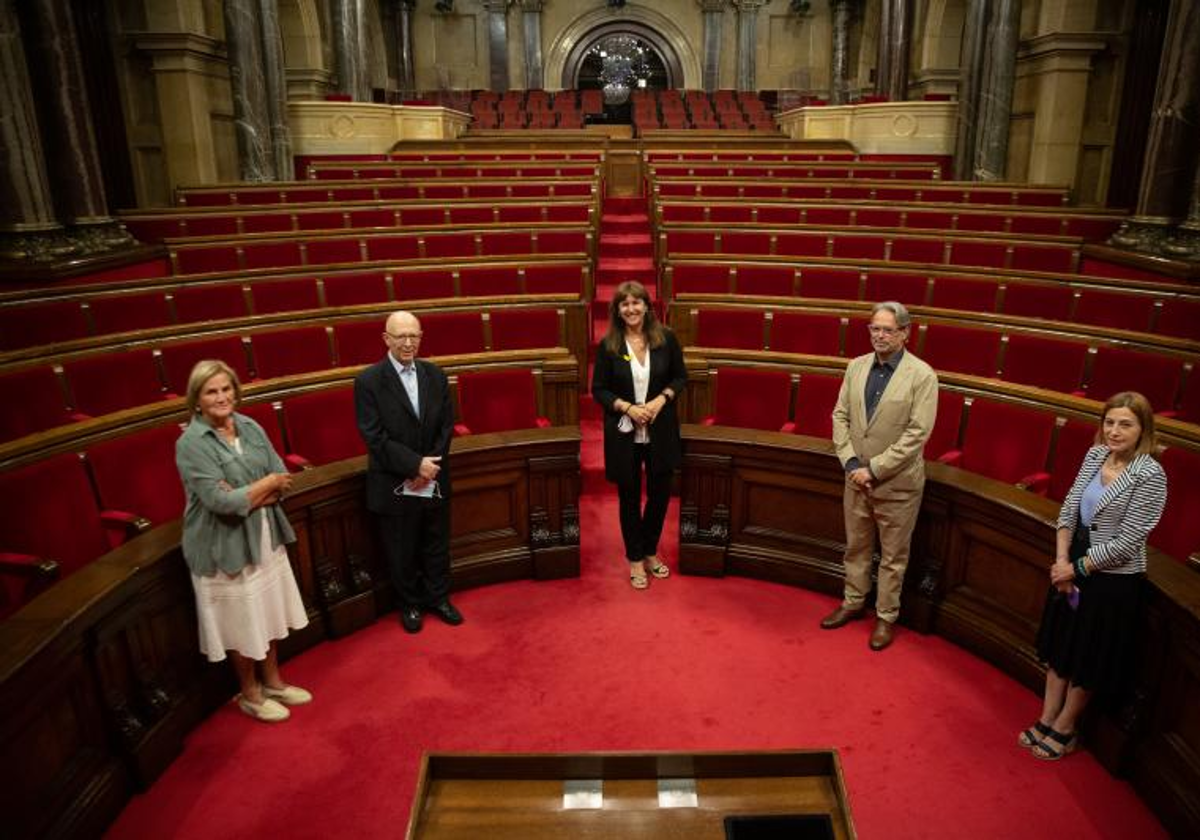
column 1162, row 310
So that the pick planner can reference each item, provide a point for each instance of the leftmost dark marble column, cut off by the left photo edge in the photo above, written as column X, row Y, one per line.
column 26, row 201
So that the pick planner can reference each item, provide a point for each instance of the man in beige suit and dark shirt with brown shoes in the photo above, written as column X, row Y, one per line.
column 885, row 413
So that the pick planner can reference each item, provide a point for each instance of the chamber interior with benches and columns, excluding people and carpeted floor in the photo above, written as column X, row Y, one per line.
column 265, row 183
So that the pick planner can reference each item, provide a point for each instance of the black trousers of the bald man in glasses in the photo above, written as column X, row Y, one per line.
column 417, row 544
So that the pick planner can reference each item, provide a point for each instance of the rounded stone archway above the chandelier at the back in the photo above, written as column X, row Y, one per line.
column 571, row 46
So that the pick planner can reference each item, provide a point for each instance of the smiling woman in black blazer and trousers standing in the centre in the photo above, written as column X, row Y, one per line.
column 639, row 376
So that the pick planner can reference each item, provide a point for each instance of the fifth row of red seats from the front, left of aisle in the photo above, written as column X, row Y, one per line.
column 155, row 227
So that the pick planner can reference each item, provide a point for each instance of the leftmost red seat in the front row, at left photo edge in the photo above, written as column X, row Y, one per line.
column 35, row 530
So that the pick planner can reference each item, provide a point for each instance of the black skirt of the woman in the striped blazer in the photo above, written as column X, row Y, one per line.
column 1094, row 645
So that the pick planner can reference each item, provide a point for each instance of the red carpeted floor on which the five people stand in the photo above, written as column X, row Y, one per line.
column 927, row 733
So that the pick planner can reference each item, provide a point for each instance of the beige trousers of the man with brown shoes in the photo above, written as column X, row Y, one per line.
column 893, row 519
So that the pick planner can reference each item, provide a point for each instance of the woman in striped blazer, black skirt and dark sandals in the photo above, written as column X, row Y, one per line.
column 1091, row 615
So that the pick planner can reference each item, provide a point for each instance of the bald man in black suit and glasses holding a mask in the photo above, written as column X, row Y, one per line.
column 406, row 417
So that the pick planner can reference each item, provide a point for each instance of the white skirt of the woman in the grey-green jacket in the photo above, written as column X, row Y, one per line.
column 248, row 611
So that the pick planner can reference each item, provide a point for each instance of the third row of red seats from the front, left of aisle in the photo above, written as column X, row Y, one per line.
column 97, row 313
